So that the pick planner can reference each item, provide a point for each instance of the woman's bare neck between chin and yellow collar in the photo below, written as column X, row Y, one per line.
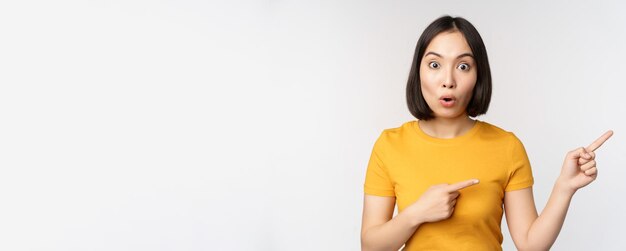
column 447, row 128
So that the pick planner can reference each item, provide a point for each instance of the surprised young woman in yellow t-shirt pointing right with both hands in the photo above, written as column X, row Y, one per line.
column 453, row 176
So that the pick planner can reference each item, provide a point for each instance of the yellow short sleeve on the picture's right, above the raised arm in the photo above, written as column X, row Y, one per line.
column 520, row 172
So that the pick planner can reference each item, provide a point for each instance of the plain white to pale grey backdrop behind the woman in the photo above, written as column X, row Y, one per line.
column 230, row 125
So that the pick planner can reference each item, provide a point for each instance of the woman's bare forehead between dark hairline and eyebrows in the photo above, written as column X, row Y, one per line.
column 449, row 44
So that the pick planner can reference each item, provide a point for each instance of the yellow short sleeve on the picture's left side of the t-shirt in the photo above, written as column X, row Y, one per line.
column 377, row 181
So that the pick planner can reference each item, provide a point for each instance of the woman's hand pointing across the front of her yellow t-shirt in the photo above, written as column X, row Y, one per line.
column 438, row 202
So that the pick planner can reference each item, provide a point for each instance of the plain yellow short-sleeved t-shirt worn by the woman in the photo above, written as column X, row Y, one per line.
column 405, row 162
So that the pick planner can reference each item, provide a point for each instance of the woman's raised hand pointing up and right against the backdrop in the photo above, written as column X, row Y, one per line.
column 579, row 168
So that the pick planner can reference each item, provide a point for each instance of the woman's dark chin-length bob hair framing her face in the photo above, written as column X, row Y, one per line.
column 481, row 95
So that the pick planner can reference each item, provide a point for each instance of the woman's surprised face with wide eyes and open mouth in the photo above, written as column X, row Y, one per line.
column 448, row 75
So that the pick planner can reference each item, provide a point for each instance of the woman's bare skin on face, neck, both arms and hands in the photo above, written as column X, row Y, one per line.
column 449, row 68
